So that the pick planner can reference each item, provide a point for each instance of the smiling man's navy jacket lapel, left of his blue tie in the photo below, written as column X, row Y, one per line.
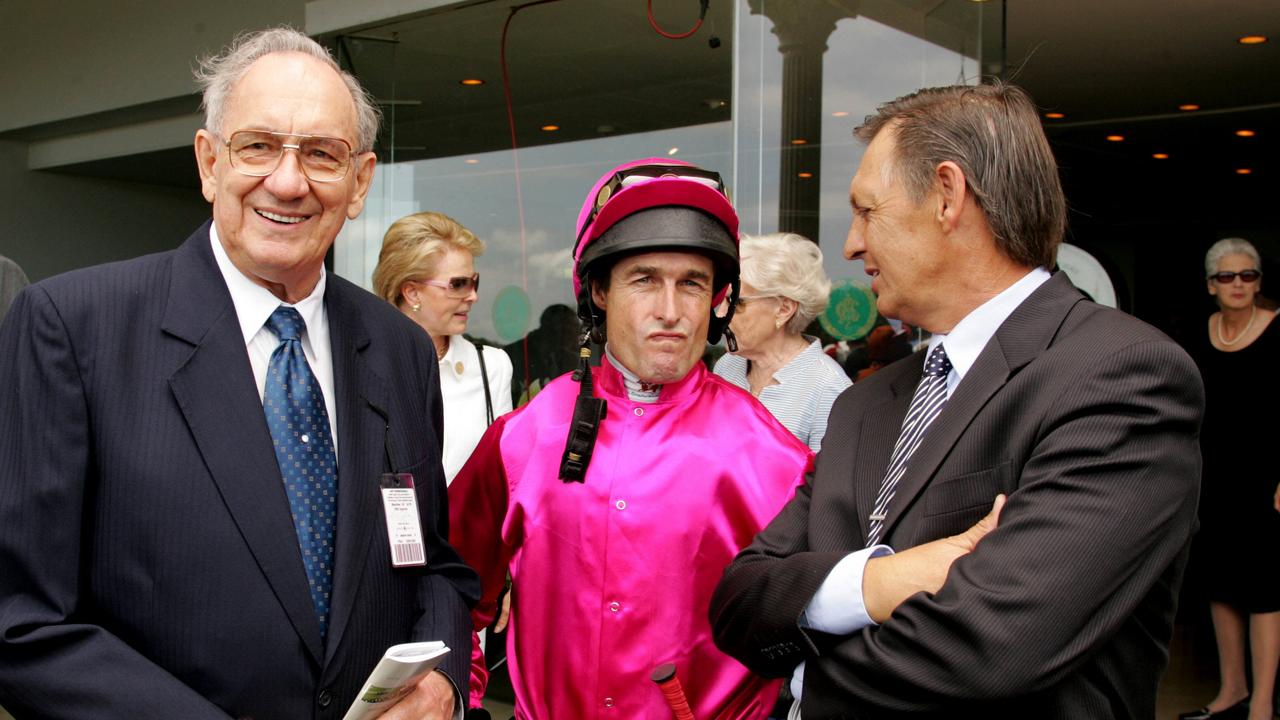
column 220, row 402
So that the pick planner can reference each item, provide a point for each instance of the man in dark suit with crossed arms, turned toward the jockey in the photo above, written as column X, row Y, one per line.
column 1085, row 418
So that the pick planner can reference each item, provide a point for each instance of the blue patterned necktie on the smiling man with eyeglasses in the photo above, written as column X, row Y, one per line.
column 304, row 448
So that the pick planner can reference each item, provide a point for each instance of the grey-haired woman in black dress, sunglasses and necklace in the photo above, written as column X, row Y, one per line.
column 1240, row 502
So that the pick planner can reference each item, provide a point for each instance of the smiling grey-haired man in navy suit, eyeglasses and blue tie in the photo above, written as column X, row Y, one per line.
column 194, row 444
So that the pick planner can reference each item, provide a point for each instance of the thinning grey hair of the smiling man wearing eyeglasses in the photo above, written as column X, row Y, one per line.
column 218, row 75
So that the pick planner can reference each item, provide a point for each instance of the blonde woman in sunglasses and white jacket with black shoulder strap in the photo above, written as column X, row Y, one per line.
column 427, row 268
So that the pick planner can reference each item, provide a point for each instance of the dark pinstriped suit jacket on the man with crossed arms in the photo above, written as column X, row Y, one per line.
column 1089, row 421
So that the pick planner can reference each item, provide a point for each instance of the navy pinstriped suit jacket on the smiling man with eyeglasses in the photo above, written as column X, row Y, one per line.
column 150, row 566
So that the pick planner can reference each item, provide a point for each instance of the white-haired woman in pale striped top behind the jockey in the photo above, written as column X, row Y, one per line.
column 784, row 290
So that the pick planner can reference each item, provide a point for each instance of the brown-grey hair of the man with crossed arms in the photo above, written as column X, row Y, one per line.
column 994, row 134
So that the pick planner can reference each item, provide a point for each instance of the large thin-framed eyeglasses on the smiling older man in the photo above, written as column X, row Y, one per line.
column 258, row 154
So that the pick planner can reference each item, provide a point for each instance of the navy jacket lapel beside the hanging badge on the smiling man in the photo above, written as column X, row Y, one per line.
column 363, row 400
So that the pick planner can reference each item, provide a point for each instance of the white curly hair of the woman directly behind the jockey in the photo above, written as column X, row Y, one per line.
column 788, row 266
